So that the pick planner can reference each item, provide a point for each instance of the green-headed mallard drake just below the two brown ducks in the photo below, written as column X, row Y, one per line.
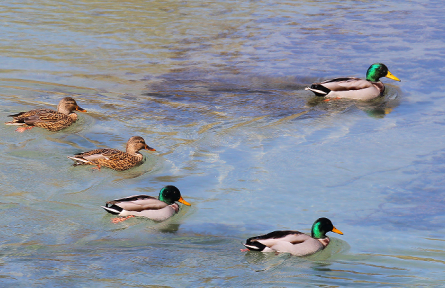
column 157, row 209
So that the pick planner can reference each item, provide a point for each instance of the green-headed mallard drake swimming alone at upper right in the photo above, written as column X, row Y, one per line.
column 355, row 88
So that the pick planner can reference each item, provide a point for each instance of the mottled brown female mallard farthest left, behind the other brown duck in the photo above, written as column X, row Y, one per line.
column 47, row 118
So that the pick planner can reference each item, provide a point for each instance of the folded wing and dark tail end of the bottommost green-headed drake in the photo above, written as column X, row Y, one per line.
column 261, row 243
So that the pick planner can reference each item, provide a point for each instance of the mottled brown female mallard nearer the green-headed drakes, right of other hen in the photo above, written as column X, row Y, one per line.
column 113, row 158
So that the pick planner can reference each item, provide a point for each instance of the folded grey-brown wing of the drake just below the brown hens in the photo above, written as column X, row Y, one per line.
column 137, row 203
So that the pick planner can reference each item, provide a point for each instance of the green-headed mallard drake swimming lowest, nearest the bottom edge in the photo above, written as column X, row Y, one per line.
column 294, row 242
